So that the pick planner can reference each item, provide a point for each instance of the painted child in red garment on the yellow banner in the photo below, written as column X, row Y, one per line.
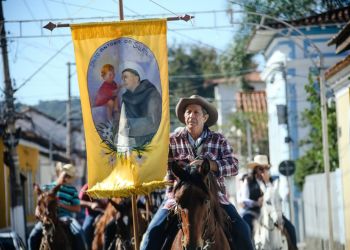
column 107, row 94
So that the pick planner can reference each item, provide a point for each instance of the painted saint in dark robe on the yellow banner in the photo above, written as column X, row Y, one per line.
column 141, row 108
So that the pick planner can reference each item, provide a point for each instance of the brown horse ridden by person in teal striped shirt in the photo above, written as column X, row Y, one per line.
column 55, row 233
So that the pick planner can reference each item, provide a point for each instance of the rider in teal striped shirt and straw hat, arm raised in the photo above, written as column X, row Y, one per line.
column 68, row 203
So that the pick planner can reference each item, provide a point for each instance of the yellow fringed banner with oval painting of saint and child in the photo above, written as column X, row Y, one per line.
column 123, row 80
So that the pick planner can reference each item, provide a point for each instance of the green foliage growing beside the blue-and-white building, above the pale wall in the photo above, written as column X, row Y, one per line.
column 312, row 161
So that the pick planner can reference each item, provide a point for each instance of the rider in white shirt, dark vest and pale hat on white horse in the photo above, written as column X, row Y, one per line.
column 252, row 193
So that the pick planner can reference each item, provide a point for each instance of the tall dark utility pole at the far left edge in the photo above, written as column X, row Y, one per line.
column 17, row 209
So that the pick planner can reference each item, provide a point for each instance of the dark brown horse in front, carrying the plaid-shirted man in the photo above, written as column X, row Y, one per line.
column 198, row 209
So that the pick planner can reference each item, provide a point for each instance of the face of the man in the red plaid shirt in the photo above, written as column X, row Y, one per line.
column 194, row 117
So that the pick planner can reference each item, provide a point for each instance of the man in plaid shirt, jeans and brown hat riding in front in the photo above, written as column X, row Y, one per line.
column 188, row 147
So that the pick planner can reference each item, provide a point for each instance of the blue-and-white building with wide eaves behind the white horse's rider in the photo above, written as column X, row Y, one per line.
column 290, row 57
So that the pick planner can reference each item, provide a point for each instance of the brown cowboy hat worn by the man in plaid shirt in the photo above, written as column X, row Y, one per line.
column 196, row 99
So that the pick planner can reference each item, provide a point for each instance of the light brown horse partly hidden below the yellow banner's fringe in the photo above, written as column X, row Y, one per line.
column 118, row 211
